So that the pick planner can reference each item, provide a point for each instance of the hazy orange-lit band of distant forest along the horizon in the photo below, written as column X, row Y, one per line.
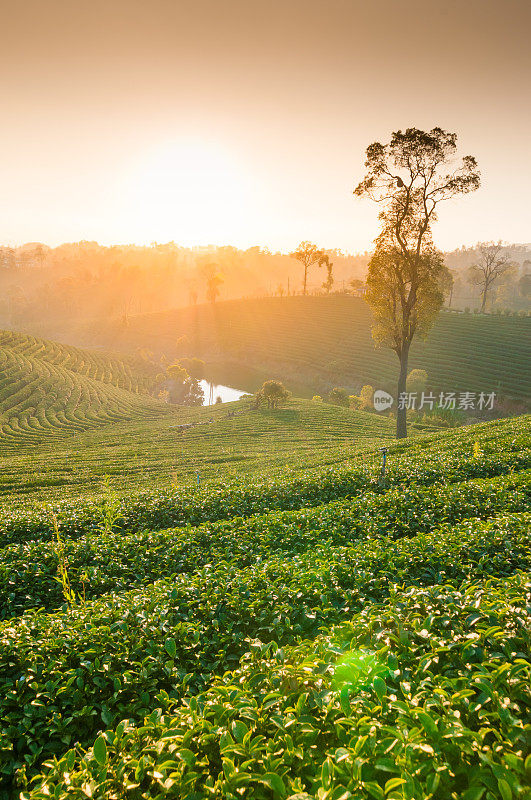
column 50, row 289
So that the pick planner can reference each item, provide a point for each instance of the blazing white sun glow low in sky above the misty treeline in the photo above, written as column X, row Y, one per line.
column 190, row 192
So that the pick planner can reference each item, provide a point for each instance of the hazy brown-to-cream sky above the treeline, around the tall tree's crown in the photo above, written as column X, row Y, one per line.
column 245, row 121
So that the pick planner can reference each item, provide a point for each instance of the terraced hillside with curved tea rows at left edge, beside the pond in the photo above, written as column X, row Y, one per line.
column 49, row 391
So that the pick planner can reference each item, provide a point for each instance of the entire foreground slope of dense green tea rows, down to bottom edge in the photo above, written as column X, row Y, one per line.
column 314, row 633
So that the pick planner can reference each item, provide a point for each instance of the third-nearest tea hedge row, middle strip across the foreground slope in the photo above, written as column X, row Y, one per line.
column 113, row 562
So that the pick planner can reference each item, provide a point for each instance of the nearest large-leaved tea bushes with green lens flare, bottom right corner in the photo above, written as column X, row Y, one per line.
column 447, row 720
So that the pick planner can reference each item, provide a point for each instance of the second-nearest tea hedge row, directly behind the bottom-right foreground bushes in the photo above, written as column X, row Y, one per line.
column 65, row 676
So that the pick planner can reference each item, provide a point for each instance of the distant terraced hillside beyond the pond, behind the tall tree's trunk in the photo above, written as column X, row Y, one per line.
column 314, row 343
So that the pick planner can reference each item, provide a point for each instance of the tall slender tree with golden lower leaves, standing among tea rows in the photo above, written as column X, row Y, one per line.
column 406, row 278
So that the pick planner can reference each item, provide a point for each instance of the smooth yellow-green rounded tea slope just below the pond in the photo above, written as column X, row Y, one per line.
column 152, row 453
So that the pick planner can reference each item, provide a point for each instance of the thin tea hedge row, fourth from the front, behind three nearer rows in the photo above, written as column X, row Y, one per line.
column 156, row 510
